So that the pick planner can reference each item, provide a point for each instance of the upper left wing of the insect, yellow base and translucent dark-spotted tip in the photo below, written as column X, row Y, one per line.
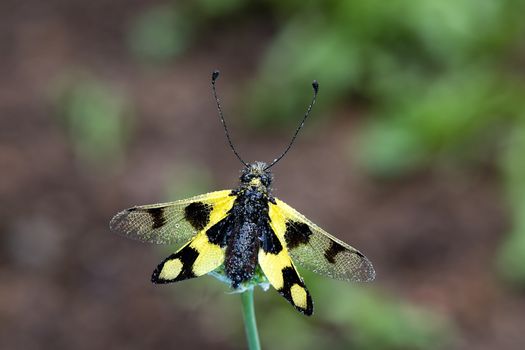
column 175, row 222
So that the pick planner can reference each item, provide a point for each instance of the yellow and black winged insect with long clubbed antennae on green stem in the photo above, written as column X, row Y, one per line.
column 243, row 232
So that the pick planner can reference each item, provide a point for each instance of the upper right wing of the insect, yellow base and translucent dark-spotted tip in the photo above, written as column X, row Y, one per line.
column 315, row 249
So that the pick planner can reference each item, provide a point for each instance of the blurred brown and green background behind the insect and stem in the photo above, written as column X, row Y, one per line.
column 413, row 154
